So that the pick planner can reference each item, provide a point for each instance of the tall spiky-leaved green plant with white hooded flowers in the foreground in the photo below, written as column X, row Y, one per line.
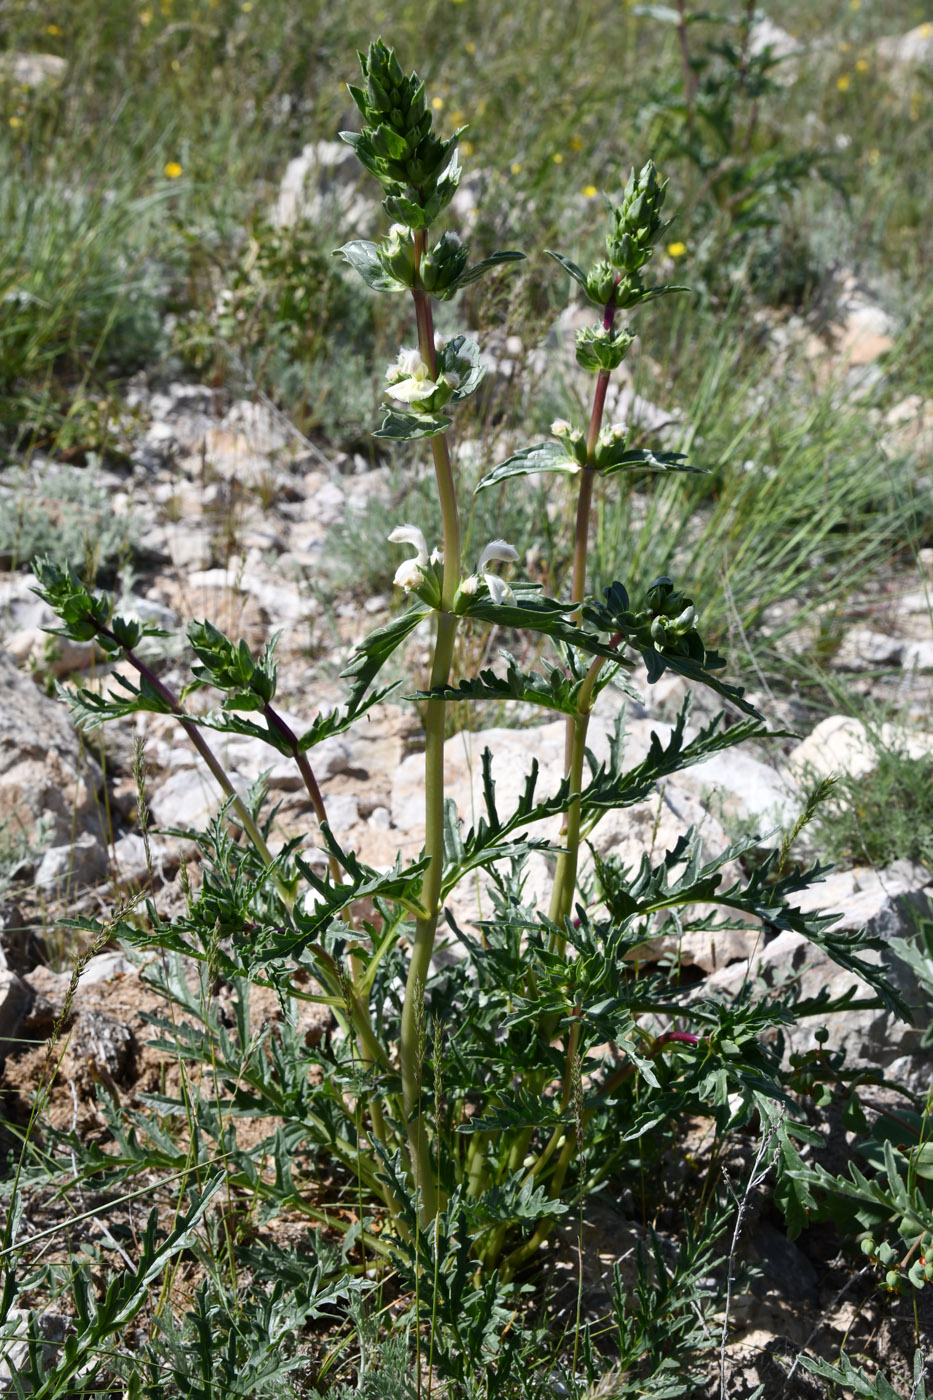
column 543, row 999
